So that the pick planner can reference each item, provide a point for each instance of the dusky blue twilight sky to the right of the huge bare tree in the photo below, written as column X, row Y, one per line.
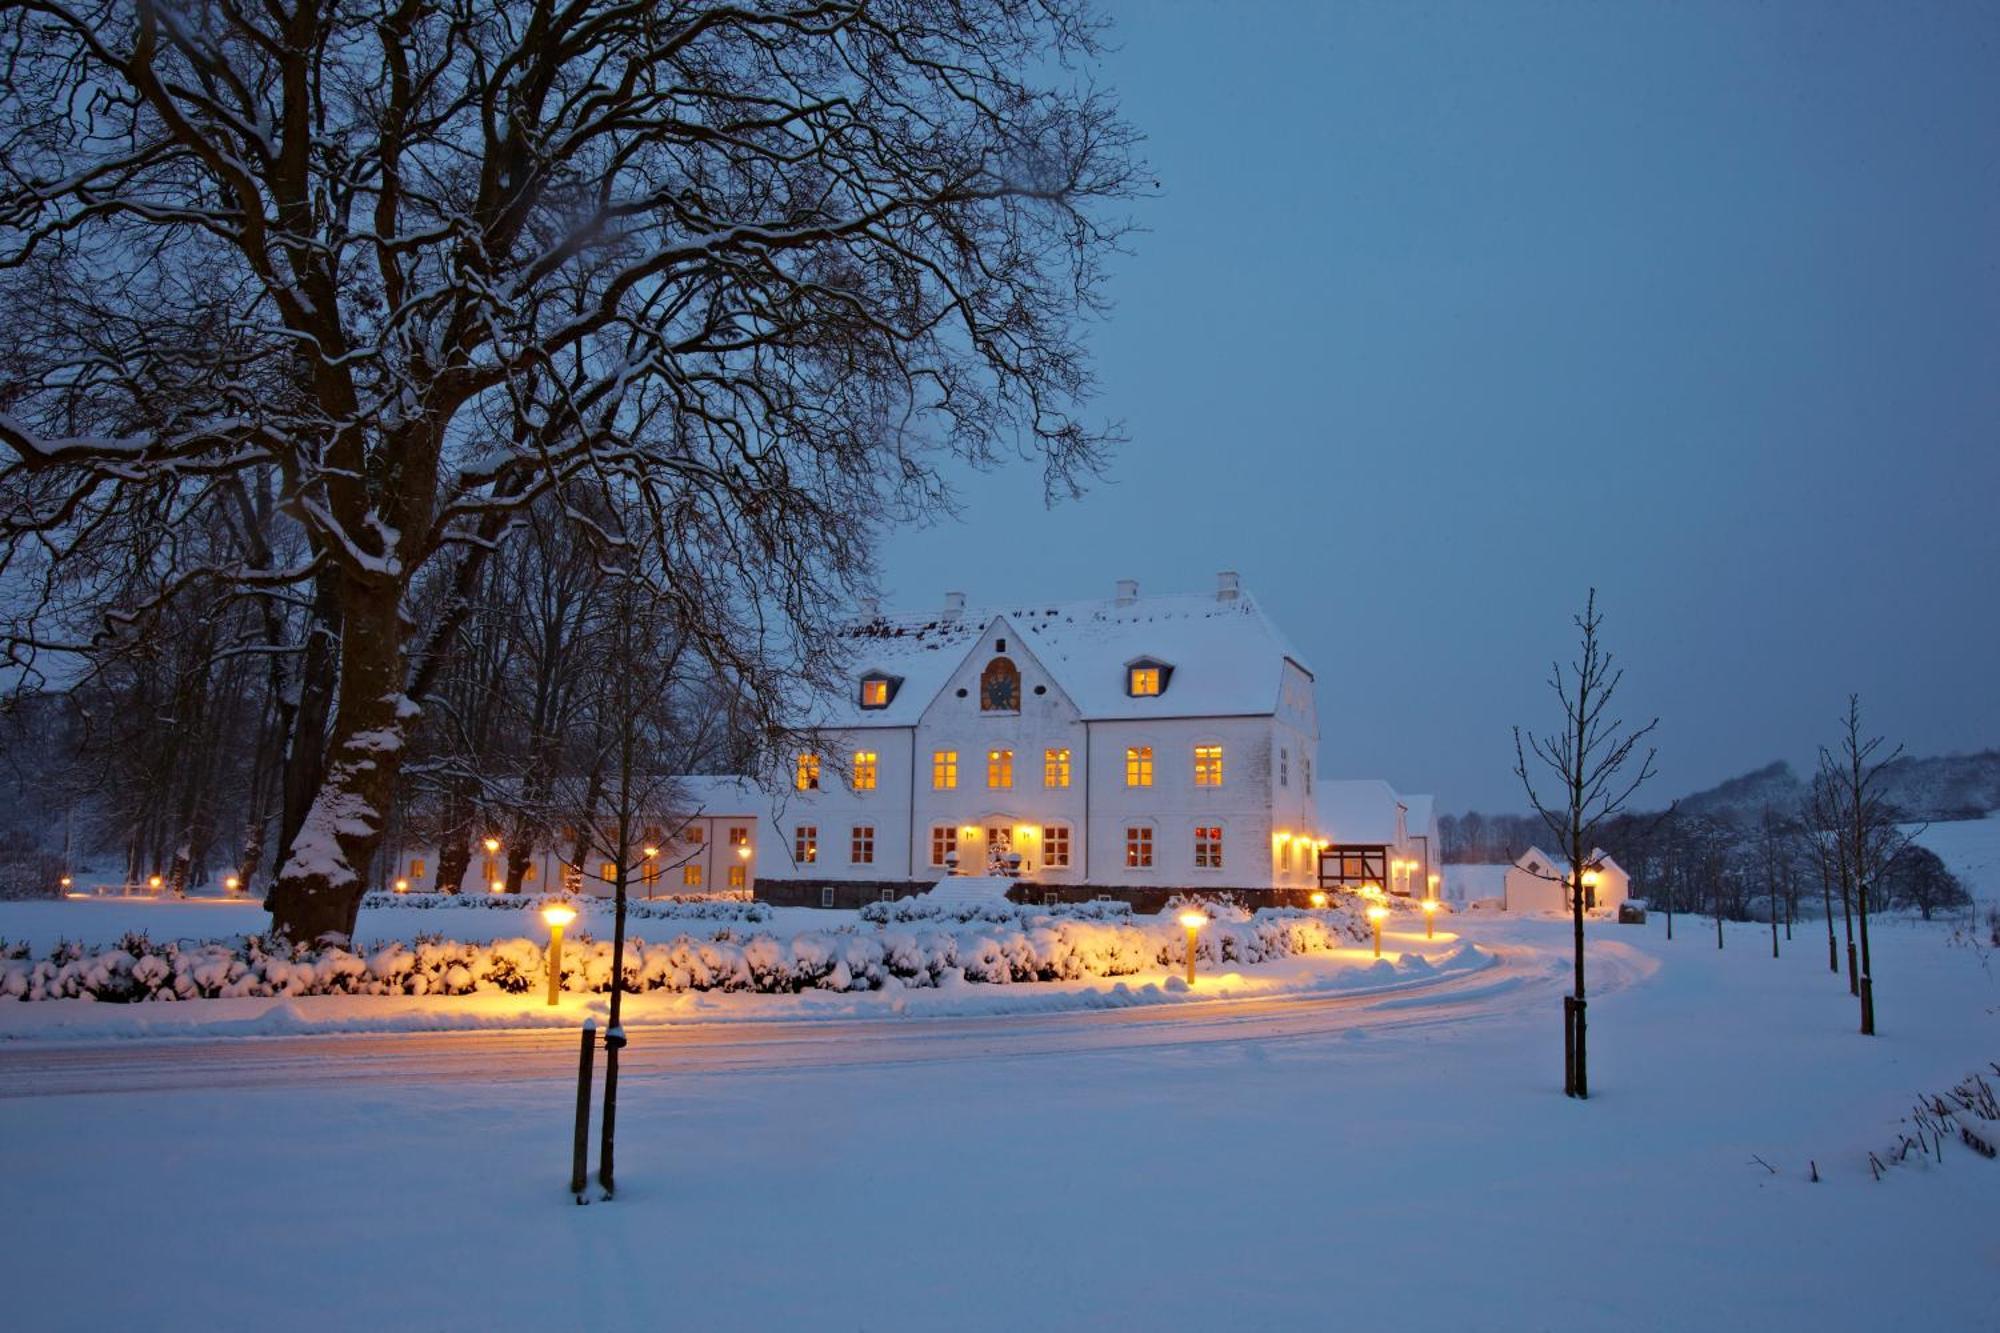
column 1451, row 311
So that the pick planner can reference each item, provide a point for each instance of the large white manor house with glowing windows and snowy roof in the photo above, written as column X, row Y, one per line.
column 1123, row 746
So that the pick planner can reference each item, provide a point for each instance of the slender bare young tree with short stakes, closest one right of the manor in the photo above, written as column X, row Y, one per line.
column 1589, row 766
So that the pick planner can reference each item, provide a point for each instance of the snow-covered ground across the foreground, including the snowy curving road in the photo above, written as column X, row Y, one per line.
column 1275, row 1164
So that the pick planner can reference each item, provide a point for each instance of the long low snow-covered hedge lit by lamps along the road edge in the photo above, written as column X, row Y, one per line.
column 1047, row 950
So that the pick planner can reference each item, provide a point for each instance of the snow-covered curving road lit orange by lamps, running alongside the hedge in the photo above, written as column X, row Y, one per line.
column 1521, row 980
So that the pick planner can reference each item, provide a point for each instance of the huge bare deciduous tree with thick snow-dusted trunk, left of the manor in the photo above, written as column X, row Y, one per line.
column 417, row 267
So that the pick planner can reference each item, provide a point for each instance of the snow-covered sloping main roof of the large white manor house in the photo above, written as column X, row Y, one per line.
column 1227, row 655
